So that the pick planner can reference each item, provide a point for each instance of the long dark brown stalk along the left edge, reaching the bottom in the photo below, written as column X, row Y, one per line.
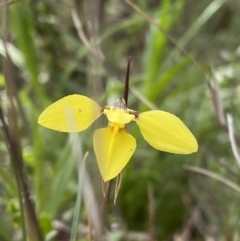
column 12, row 138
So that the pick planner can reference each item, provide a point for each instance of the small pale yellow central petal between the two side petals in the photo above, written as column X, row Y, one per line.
column 118, row 116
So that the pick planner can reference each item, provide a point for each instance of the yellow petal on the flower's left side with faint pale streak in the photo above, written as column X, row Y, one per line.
column 72, row 113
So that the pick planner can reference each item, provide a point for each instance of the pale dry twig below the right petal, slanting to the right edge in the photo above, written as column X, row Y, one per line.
column 213, row 175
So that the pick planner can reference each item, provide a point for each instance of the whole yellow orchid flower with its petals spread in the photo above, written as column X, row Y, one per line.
column 113, row 146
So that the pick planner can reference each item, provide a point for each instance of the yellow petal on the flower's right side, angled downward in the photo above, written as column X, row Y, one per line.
column 166, row 132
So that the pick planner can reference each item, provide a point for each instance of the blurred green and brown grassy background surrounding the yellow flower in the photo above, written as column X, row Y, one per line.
column 51, row 49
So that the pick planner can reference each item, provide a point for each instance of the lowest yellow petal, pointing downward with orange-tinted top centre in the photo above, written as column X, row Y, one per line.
column 113, row 148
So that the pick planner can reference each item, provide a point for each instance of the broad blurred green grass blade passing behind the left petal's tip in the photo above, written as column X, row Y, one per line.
column 23, row 28
